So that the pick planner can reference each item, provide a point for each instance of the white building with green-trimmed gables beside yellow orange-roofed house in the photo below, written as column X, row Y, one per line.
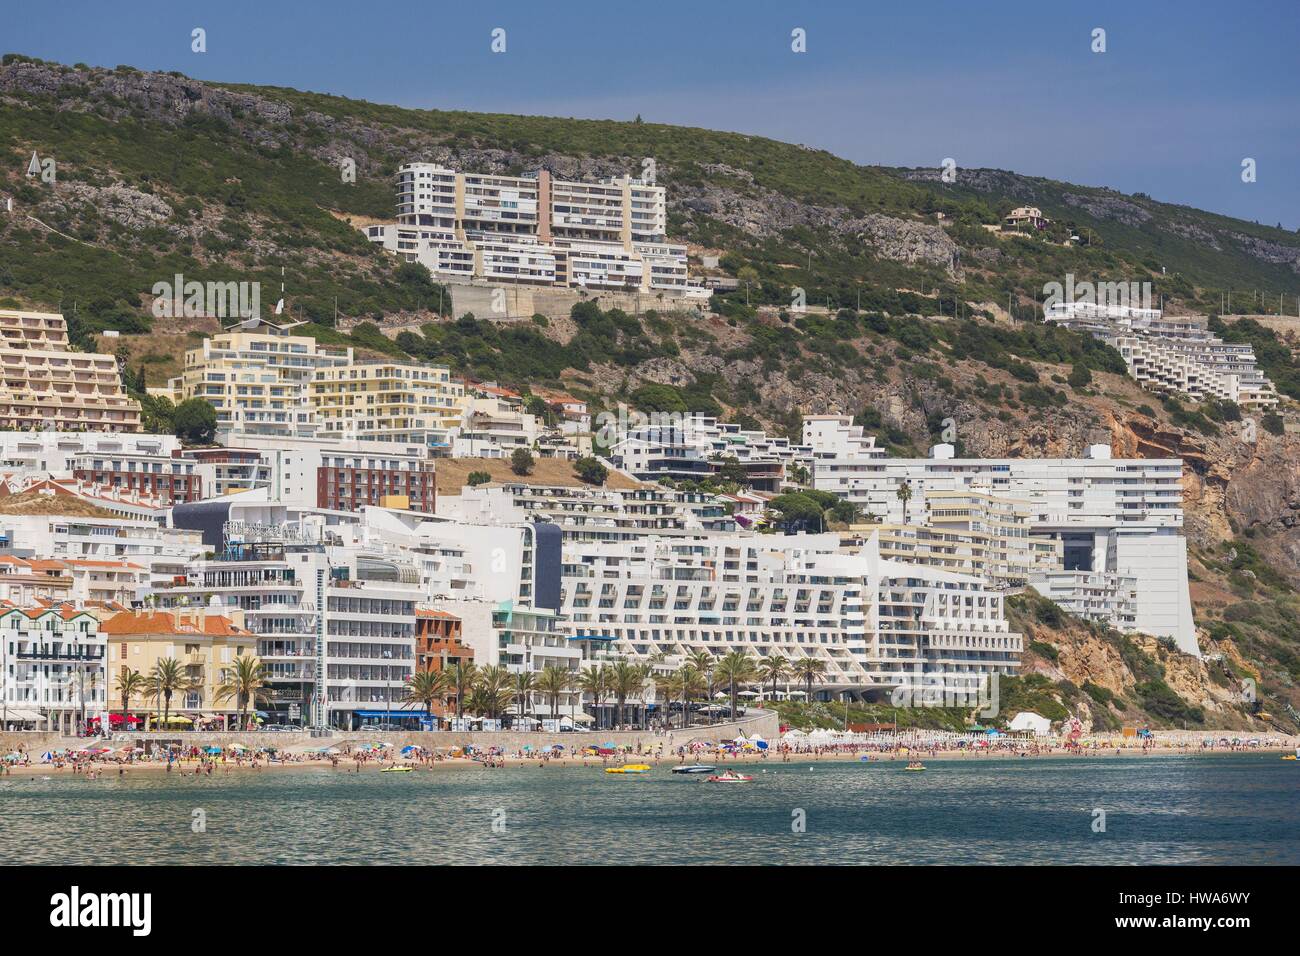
column 51, row 669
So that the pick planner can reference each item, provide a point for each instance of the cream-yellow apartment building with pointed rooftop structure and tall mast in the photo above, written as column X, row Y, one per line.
column 258, row 377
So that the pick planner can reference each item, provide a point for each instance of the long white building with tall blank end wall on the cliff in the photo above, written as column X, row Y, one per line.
column 1110, row 516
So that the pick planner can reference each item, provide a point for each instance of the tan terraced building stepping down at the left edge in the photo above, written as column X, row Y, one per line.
column 45, row 384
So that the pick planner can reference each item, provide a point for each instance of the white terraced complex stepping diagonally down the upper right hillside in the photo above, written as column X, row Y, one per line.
column 1173, row 354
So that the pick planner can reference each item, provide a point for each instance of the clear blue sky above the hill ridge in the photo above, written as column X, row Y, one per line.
column 1184, row 93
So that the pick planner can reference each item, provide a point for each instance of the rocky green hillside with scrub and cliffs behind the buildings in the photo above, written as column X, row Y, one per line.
column 159, row 174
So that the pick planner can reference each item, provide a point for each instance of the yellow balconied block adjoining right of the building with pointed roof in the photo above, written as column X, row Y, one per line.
column 388, row 401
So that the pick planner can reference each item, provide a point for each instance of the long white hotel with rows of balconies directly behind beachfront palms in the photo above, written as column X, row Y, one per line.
column 874, row 624
